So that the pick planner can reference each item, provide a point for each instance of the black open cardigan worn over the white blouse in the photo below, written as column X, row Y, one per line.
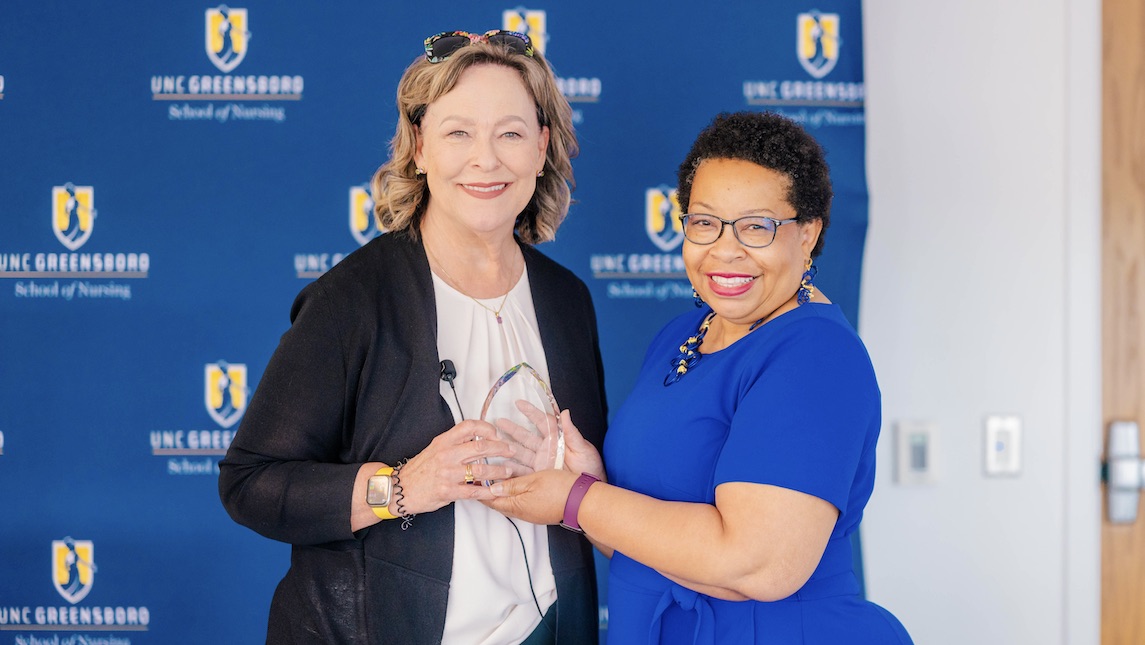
column 356, row 380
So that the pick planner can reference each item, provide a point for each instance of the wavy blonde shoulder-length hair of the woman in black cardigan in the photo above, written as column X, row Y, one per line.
column 400, row 196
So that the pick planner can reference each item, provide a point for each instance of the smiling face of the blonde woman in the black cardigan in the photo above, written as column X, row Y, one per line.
column 481, row 147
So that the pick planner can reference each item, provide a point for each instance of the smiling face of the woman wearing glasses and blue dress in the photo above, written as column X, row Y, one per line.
column 744, row 285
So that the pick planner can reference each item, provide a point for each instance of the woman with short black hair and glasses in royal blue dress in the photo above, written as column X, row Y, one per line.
column 743, row 461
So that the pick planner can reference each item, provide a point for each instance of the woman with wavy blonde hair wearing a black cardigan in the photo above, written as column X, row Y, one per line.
column 357, row 450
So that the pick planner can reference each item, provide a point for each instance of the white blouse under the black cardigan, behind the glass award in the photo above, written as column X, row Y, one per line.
column 489, row 597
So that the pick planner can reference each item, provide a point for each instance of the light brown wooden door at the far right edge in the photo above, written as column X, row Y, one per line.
column 1124, row 288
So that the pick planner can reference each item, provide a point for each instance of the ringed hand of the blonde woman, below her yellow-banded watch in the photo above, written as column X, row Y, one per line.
column 437, row 476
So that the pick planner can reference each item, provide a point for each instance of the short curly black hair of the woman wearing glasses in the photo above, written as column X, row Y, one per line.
column 775, row 143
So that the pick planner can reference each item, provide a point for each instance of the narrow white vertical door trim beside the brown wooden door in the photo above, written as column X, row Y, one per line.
column 1081, row 560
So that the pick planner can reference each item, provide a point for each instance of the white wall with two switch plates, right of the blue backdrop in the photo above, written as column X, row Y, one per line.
column 982, row 296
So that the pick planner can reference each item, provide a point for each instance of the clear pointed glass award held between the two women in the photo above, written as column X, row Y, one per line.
column 525, row 412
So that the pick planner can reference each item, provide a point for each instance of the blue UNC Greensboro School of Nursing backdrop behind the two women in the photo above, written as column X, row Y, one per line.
column 167, row 192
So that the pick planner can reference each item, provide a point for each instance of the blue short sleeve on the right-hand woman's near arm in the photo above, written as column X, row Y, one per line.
column 808, row 416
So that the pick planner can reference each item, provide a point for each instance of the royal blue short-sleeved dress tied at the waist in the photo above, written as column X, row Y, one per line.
column 795, row 404
